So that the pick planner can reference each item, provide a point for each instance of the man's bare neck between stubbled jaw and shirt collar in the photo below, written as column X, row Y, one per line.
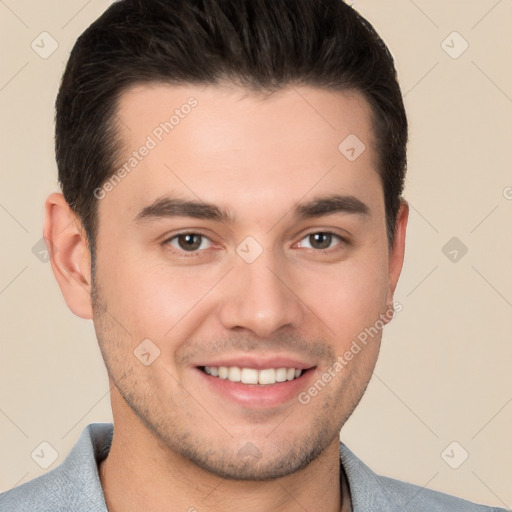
column 141, row 474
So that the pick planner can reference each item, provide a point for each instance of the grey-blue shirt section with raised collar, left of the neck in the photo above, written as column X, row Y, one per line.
column 74, row 485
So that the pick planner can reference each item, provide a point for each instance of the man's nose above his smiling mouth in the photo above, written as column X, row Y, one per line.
column 260, row 297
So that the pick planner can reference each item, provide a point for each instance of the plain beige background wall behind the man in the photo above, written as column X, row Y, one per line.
column 444, row 371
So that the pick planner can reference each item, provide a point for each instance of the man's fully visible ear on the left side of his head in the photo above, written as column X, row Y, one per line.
column 69, row 254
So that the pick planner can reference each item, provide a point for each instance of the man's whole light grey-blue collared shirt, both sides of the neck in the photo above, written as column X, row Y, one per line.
column 74, row 485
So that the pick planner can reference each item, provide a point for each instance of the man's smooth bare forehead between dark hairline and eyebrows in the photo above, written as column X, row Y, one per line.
column 240, row 149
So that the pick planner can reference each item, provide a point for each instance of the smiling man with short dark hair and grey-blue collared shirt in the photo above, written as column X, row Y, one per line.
column 232, row 220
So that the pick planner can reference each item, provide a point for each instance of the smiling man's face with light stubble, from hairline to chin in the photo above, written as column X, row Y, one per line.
column 239, row 256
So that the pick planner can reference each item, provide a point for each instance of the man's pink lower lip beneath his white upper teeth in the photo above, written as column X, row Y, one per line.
column 259, row 396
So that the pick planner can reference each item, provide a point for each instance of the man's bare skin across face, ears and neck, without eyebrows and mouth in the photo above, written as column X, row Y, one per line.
column 177, row 440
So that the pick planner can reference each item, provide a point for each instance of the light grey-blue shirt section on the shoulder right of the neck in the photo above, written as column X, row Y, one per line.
column 371, row 492
